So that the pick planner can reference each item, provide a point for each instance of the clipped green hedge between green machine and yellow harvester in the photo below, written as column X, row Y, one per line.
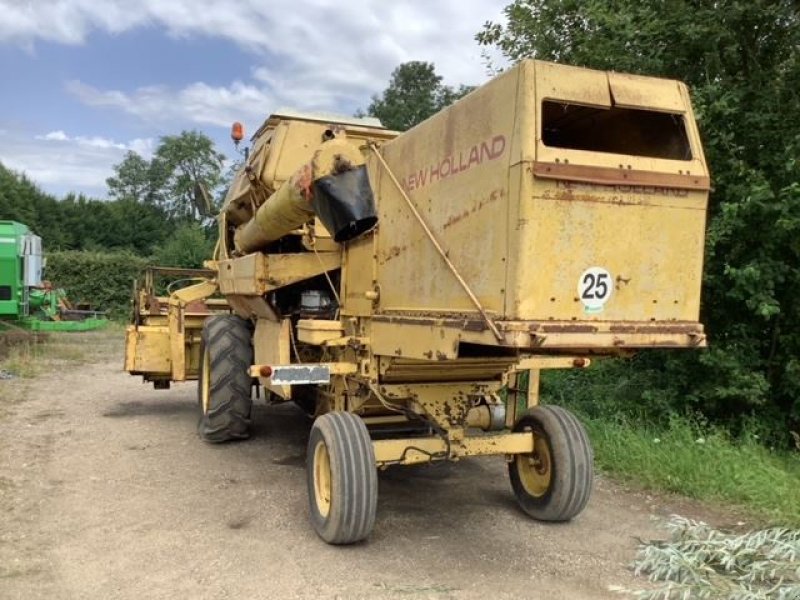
column 102, row 279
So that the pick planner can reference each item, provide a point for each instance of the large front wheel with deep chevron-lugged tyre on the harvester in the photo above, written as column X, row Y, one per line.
column 225, row 387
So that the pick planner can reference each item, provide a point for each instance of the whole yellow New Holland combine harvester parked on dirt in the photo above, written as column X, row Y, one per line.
column 402, row 283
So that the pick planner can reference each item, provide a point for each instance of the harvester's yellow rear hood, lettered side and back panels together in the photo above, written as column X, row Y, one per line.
column 526, row 240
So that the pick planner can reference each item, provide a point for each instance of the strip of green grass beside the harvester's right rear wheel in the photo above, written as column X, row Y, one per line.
column 638, row 436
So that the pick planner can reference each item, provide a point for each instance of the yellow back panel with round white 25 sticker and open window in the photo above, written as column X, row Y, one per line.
column 639, row 221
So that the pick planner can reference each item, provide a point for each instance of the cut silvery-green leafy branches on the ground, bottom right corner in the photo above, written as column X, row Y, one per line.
column 702, row 562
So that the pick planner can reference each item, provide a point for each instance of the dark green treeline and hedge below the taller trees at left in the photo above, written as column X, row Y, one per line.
column 94, row 248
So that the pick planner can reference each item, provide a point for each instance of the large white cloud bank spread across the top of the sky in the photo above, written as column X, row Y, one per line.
column 315, row 55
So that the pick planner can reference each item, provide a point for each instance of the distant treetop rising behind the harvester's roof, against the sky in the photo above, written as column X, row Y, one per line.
column 415, row 93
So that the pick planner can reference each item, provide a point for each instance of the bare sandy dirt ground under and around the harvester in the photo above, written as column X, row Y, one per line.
column 107, row 492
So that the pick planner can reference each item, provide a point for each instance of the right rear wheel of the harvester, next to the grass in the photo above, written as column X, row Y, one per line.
column 554, row 482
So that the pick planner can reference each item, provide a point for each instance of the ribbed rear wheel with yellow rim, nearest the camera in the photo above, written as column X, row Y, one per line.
column 342, row 478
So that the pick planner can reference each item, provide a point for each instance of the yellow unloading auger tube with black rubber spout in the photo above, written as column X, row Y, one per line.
column 334, row 185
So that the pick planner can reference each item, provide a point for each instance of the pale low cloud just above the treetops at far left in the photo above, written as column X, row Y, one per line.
column 61, row 163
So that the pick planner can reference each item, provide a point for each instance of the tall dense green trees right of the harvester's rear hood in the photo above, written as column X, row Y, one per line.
column 742, row 63
